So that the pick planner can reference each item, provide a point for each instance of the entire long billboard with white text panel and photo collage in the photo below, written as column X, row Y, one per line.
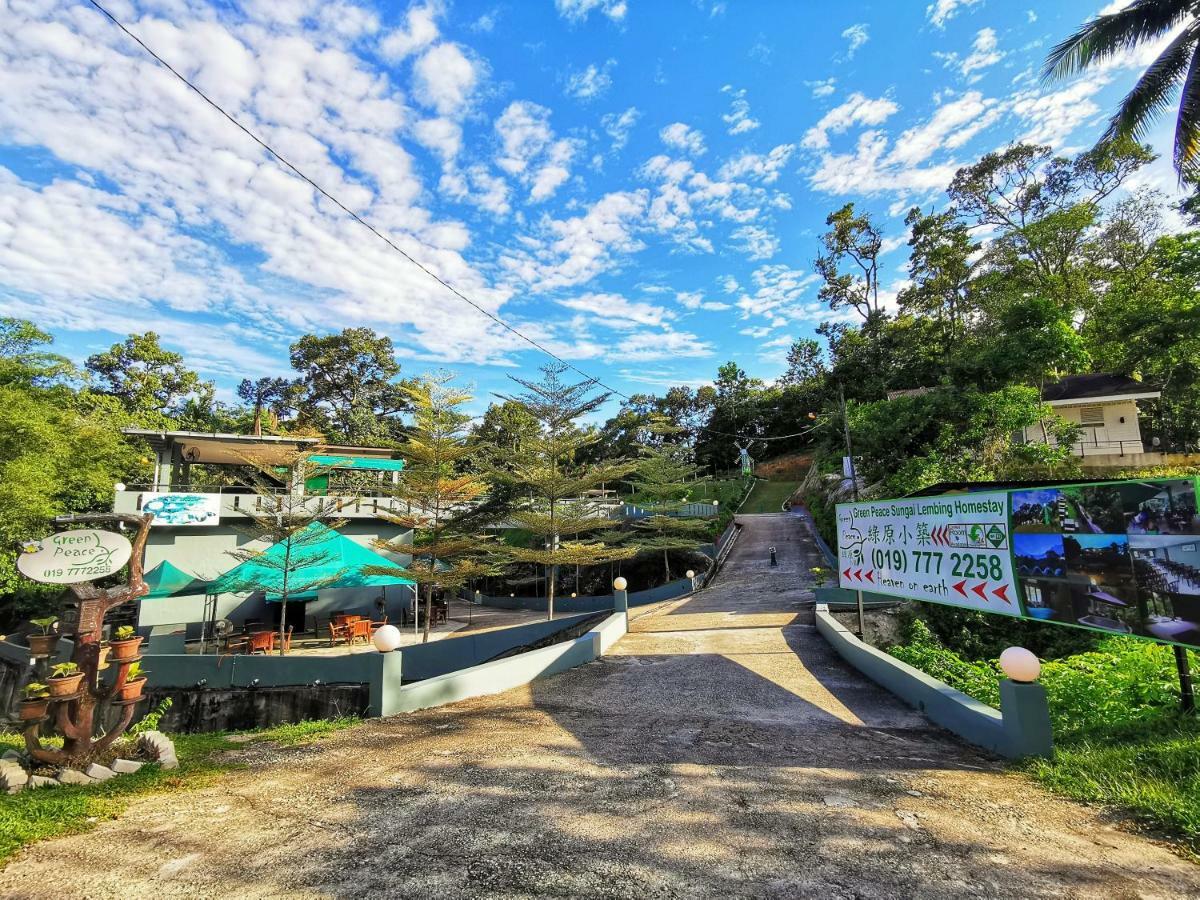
column 1121, row 557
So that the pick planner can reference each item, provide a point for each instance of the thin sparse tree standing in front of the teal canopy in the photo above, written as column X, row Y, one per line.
column 299, row 532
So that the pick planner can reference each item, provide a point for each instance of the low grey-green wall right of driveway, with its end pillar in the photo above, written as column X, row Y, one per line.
column 1022, row 730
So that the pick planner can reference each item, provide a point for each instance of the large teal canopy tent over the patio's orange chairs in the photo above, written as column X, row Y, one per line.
column 320, row 559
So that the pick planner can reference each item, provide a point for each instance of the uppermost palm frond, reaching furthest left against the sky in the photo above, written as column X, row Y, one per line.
column 1109, row 35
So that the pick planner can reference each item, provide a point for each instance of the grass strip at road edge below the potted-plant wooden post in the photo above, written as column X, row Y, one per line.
column 35, row 815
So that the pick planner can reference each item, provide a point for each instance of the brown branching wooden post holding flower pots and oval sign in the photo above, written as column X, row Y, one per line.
column 75, row 715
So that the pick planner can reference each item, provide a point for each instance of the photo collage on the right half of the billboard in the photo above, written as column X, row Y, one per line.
column 1119, row 557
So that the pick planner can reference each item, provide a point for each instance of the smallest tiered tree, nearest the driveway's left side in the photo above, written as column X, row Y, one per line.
column 663, row 482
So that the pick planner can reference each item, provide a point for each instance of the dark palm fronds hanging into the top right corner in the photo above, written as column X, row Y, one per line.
column 1177, row 68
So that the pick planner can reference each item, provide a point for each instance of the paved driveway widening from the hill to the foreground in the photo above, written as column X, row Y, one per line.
column 722, row 751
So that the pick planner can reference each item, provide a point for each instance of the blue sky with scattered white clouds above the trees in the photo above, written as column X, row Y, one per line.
column 637, row 184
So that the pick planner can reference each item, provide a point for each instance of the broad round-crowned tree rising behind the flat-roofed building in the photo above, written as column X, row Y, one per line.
column 347, row 386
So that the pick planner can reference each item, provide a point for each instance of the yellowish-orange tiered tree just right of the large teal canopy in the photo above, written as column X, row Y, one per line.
column 447, row 551
